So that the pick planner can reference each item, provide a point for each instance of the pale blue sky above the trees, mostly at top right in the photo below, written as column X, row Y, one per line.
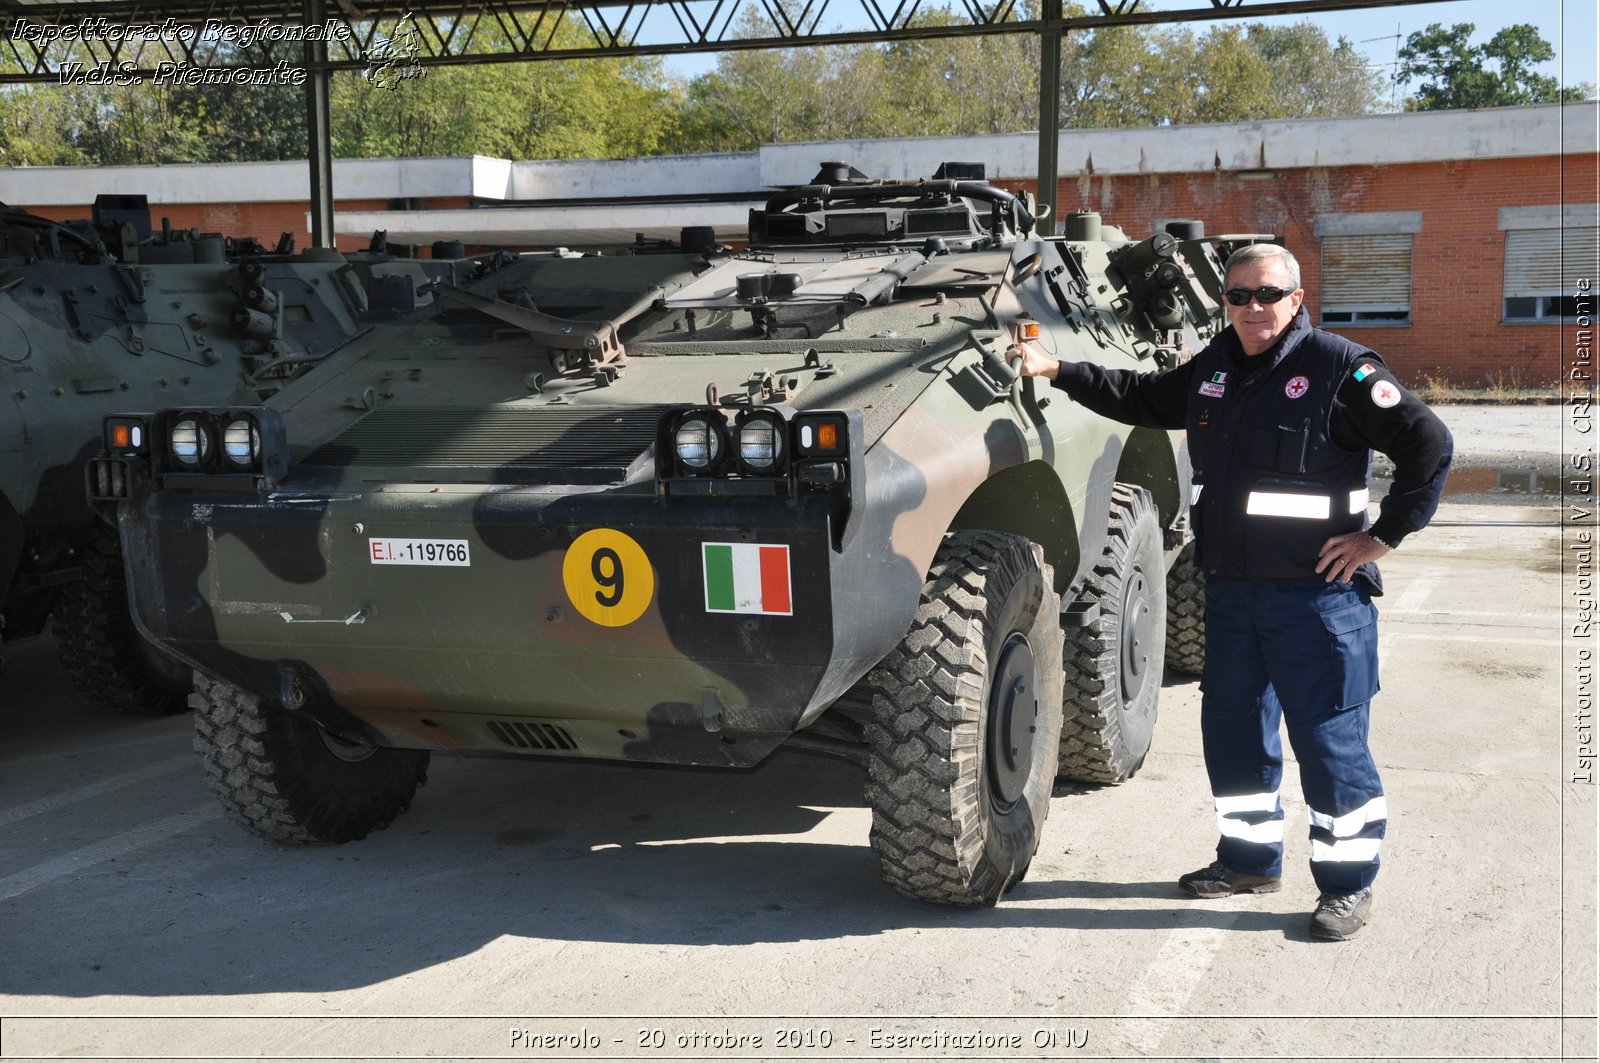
column 1567, row 25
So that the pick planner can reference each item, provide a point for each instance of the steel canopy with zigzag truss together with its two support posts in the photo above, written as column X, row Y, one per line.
column 377, row 36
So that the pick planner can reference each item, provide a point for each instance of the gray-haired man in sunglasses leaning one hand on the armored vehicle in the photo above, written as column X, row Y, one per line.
column 1282, row 420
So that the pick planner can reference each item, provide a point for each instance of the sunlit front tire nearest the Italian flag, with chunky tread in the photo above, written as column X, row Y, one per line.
column 964, row 734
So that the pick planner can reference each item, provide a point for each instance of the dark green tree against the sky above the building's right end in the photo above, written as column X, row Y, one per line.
column 1457, row 74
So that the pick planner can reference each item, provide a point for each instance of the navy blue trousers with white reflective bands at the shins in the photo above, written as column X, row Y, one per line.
column 1303, row 654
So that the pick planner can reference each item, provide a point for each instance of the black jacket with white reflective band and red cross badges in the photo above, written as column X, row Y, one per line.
column 1281, row 446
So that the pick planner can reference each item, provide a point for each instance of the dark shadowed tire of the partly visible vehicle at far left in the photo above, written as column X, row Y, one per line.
column 105, row 656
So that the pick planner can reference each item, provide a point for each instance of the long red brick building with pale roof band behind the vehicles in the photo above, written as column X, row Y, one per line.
column 1452, row 243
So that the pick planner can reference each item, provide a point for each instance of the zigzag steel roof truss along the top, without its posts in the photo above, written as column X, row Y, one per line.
column 442, row 33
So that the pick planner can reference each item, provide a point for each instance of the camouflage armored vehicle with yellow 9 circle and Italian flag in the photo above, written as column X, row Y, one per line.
column 692, row 508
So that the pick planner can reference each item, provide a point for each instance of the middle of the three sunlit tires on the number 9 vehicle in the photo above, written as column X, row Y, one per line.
column 1114, row 664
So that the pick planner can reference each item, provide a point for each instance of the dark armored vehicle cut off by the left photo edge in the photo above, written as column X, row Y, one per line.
column 105, row 313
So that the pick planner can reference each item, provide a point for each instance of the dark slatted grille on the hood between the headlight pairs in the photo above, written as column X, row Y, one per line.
column 543, row 444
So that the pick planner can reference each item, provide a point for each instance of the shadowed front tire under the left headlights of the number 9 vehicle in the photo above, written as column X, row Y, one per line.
column 286, row 780
